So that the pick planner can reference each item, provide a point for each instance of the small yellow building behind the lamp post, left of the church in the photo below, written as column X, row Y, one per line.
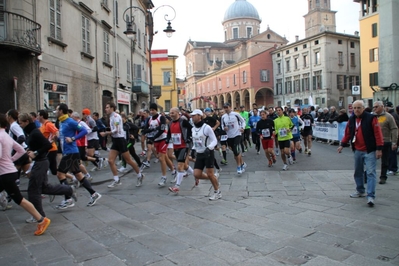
column 164, row 75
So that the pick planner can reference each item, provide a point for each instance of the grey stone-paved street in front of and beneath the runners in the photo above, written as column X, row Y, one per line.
column 266, row 217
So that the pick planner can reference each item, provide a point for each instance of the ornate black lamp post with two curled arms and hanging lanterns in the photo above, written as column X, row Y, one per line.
column 131, row 32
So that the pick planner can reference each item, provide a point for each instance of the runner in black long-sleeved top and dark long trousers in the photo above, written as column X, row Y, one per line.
column 38, row 147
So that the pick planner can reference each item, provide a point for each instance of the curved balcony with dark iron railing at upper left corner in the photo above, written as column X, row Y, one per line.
column 19, row 32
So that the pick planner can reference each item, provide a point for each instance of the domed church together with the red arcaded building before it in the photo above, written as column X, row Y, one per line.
column 232, row 71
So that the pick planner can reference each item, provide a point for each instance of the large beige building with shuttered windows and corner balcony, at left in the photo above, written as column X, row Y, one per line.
column 72, row 52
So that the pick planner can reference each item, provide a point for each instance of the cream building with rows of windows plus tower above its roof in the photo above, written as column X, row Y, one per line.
column 322, row 69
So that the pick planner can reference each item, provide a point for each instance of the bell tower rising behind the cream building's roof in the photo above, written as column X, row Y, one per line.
column 319, row 17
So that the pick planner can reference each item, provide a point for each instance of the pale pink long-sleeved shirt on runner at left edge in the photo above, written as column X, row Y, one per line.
column 7, row 144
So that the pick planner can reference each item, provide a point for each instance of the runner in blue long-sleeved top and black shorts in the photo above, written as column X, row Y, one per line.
column 70, row 160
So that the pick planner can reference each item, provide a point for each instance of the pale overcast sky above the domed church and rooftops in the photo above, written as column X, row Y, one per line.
column 201, row 20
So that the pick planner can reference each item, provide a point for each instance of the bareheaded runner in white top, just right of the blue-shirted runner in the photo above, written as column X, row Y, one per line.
column 119, row 146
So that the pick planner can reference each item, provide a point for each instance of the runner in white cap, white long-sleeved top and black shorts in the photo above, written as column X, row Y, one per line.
column 204, row 141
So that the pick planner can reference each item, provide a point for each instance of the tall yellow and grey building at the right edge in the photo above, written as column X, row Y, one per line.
column 379, row 36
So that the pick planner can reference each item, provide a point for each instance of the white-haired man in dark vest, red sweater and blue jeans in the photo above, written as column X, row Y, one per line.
column 364, row 133
